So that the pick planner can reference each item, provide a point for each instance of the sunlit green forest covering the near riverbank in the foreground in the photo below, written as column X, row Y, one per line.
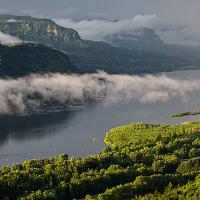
column 139, row 161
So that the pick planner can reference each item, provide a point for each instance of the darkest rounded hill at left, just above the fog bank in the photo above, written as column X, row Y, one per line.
column 23, row 59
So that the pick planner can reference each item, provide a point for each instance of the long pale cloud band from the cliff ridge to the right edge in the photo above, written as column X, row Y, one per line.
column 172, row 32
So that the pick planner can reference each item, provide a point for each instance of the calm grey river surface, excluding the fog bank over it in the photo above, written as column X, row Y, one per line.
column 72, row 131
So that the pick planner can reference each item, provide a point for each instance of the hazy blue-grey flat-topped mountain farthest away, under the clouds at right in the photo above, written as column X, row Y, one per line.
column 147, row 39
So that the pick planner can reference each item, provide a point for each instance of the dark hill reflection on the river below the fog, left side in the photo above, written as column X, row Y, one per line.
column 18, row 126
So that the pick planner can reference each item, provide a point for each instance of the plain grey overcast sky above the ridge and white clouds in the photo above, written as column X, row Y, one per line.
column 186, row 10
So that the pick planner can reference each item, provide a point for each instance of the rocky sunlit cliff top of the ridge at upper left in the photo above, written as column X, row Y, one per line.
column 43, row 31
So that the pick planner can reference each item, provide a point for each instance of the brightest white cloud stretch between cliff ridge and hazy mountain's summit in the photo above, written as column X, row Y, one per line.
column 99, row 29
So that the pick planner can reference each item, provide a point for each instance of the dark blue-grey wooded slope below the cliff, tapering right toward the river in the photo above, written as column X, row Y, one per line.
column 120, row 60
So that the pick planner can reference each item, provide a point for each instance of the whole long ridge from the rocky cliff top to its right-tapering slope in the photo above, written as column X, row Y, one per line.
column 88, row 56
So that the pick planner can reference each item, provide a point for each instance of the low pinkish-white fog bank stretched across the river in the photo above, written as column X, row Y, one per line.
column 18, row 96
